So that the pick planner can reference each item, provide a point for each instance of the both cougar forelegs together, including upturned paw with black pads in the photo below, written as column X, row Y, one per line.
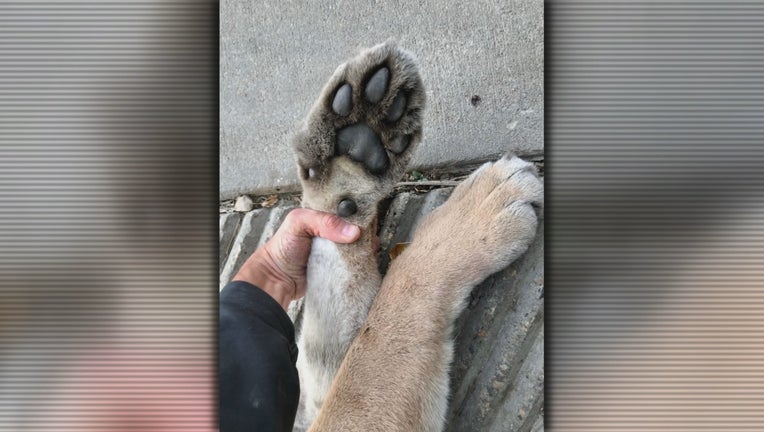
column 374, row 354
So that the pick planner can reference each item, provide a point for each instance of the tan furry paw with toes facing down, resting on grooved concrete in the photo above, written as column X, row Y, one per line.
column 489, row 220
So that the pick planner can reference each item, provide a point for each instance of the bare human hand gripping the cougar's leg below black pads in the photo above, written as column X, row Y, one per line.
column 278, row 268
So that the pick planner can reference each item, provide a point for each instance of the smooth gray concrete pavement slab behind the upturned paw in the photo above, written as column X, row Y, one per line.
column 275, row 56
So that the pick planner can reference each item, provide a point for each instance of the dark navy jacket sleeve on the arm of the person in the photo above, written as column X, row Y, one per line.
column 259, row 387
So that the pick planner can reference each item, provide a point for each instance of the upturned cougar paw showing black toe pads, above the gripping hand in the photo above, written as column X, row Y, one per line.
column 361, row 132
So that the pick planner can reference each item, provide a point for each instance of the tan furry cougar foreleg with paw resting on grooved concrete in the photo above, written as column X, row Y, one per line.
column 394, row 369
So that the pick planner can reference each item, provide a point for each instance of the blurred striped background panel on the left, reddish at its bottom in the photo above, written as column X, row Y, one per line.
column 108, row 160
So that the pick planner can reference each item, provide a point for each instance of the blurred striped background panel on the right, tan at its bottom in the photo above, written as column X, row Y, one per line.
column 655, row 215
